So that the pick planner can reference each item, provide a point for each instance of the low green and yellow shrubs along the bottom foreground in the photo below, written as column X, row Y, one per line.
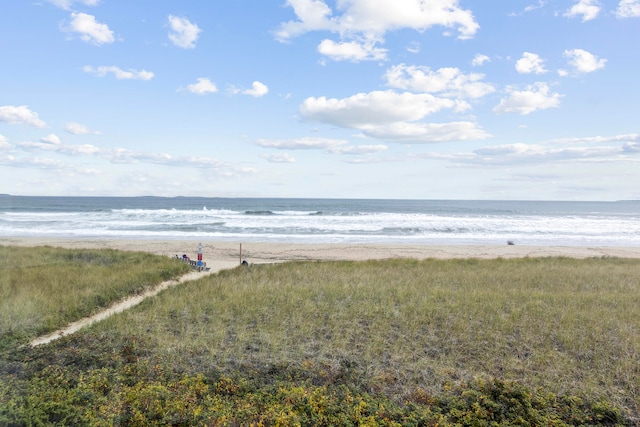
column 136, row 391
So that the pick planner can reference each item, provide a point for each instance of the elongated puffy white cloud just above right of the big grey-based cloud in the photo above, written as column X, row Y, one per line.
column 449, row 82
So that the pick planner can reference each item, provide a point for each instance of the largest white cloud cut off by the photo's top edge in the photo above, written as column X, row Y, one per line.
column 376, row 17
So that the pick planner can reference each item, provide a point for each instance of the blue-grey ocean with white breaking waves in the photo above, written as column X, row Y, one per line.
column 324, row 220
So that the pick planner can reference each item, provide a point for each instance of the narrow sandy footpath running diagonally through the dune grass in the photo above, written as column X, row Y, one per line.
column 121, row 306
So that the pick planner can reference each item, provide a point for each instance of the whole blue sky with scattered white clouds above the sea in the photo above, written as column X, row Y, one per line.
column 385, row 99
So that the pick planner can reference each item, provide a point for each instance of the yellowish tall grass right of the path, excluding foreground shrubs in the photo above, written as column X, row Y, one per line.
column 559, row 324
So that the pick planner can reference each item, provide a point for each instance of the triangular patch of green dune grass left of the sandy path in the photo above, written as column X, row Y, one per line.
column 45, row 288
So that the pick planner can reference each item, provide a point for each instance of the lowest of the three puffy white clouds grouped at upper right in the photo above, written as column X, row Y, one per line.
column 535, row 97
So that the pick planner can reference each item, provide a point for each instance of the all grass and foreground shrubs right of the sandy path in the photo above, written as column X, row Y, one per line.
column 542, row 341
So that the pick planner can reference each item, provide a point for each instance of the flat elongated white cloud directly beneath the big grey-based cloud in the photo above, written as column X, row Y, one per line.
column 426, row 132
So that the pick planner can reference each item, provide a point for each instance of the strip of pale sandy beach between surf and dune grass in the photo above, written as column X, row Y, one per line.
column 229, row 254
